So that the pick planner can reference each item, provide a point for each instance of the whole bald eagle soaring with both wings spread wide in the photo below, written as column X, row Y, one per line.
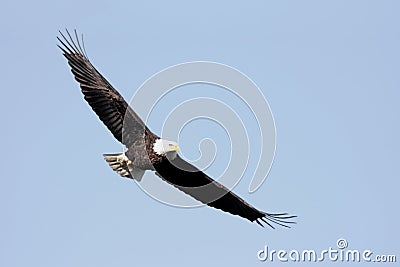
column 146, row 150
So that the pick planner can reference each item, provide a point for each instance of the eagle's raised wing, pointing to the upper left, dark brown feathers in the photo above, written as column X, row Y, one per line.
column 107, row 103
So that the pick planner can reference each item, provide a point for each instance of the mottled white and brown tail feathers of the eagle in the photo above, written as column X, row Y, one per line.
column 123, row 166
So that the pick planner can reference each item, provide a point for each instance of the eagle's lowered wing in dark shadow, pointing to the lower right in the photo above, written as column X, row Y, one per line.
column 197, row 184
